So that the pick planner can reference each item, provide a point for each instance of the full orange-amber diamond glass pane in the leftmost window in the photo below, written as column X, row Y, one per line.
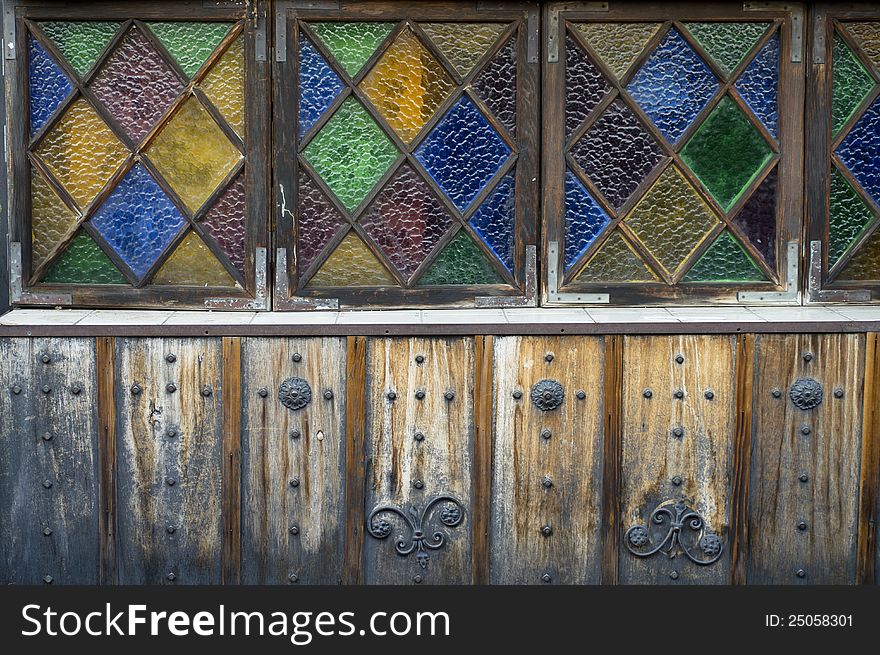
column 82, row 152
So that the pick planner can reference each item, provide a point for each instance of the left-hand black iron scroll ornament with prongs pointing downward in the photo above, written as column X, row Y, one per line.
column 418, row 521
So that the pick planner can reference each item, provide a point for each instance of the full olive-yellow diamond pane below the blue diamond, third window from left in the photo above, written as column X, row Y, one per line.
column 672, row 219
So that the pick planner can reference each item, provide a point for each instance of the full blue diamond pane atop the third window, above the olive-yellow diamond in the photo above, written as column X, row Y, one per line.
column 673, row 85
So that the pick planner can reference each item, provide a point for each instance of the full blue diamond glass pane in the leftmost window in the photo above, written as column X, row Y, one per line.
column 138, row 220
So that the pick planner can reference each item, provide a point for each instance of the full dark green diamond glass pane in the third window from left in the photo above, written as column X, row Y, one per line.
column 726, row 153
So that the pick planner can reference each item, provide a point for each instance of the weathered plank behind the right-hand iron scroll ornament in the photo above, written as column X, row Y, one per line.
column 659, row 466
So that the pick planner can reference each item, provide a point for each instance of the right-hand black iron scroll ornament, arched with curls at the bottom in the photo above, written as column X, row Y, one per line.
column 685, row 533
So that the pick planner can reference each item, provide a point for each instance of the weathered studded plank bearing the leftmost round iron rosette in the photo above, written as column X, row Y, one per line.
column 293, row 462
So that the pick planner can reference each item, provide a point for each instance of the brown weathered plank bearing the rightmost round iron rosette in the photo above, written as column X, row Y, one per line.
column 805, row 463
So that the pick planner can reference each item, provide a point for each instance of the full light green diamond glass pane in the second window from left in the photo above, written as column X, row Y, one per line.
column 351, row 153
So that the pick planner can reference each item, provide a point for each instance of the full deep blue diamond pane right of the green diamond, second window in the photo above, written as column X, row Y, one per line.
column 462, row 153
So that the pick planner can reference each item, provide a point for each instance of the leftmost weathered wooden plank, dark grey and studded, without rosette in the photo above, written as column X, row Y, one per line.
column 49, row 467
